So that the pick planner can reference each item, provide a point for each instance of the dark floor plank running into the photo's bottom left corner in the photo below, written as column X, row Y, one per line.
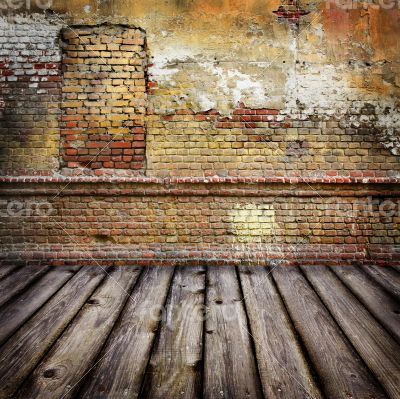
column 20, row 354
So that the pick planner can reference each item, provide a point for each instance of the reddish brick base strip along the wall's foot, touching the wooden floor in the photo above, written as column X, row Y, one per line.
column 268, row 254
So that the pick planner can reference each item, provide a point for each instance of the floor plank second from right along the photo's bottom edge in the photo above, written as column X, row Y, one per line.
column 341, row 371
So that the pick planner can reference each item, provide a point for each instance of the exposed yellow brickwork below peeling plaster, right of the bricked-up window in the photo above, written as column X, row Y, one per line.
column 266, row 142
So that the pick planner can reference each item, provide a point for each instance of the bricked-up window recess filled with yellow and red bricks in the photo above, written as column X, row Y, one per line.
column 104, row 97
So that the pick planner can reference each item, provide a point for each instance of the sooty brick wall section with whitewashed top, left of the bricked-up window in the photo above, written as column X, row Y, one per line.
column 30, row 91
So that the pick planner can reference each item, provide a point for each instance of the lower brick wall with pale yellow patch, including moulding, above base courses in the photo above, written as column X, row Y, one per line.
column 155, row 216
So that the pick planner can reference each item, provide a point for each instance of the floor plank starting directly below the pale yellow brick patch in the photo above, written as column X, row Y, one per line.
column 283, row 370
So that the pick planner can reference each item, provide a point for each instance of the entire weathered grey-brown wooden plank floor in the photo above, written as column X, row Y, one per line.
column 250, row 332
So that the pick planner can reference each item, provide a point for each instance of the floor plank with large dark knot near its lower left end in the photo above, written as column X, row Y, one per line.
column 59, row 374
